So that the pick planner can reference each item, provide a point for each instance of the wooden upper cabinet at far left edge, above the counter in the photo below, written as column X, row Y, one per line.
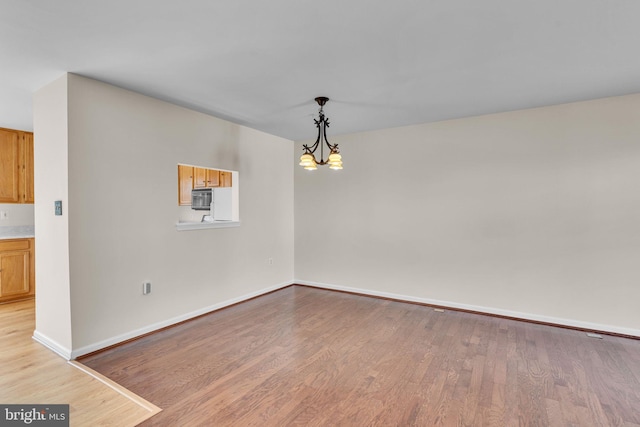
column 16, row 166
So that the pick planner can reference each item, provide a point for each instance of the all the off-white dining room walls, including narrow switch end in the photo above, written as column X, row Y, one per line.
column 530, row 213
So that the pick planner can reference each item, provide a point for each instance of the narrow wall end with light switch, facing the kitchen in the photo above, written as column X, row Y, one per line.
column 53, row 309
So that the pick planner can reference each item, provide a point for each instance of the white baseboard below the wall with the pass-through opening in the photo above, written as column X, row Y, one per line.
column 163, row 324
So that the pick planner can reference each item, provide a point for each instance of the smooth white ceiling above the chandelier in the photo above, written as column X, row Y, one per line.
column 382, row 63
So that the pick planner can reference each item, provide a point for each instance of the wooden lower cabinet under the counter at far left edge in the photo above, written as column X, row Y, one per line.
column 17, row 269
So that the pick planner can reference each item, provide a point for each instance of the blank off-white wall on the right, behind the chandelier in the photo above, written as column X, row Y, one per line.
column 532, row 213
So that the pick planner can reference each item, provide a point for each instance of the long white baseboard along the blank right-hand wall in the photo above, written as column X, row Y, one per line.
column 481, row 309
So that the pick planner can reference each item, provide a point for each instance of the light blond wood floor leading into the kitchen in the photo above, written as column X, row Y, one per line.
column 33, row 374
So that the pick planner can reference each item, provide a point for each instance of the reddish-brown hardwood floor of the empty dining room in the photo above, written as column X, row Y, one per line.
column 304, row 356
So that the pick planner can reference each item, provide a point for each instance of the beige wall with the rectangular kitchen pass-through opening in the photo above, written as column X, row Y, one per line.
column 123, row 154
